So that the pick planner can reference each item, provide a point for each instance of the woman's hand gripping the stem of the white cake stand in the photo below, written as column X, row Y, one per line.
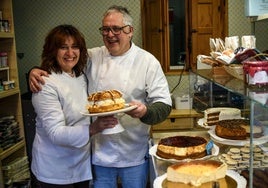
column 102, row 123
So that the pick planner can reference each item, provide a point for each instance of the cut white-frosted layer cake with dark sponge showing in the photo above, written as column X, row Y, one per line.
column 213, row 115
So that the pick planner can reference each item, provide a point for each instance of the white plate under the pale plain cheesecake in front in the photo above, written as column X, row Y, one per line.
column 240, row 180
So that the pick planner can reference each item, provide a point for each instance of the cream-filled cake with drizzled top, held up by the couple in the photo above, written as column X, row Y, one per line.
column 105, row 101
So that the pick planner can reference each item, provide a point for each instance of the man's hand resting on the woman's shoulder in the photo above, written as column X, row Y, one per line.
column 35, row 79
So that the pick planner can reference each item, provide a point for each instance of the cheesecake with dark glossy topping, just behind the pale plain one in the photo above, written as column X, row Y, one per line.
column 182, row 147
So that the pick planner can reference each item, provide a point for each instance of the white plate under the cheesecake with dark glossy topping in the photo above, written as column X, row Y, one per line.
column 153, row 149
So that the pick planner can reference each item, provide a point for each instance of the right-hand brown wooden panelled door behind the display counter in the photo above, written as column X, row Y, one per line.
column 208, row 20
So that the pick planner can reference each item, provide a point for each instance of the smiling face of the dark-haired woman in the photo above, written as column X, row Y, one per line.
column 68, row 55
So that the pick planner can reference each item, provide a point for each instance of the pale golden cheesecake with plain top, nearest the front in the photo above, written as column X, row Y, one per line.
column 196, row 172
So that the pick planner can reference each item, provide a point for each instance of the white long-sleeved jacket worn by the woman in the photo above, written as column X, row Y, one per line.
column 61, row 148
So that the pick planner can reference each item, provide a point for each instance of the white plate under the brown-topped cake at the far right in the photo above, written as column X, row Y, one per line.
column 256, row 141
